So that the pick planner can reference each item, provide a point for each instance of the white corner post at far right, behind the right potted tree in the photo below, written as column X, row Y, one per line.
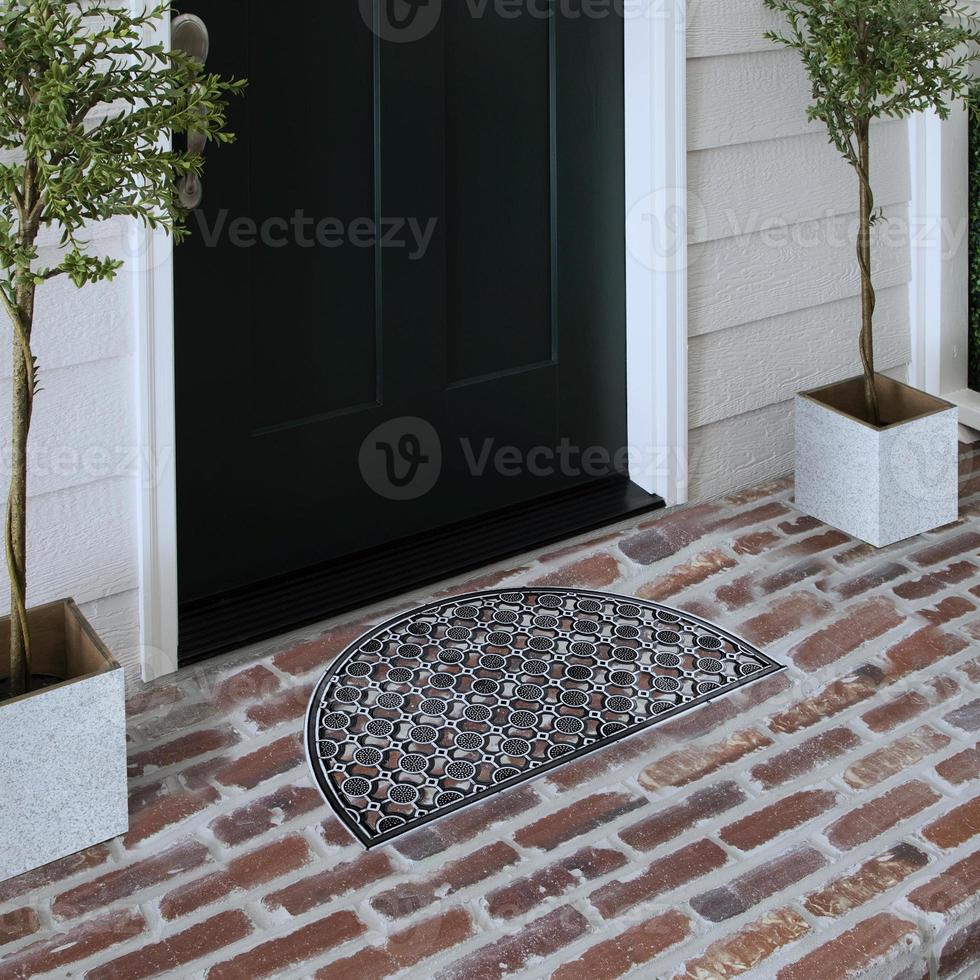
column 939, row 233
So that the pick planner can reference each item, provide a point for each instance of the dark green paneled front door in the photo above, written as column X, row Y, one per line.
column 403, row 304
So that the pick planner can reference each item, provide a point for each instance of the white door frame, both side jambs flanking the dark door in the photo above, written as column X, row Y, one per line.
column 656, row 194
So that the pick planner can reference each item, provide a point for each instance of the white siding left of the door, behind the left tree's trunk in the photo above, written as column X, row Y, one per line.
column 84, row 473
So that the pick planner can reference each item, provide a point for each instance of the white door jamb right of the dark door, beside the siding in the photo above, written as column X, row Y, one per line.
column 657, row 237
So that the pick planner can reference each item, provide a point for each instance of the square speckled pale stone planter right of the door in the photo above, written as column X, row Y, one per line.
column 881, row 485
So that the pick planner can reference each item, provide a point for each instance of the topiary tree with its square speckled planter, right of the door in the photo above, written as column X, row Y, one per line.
column 874, row 457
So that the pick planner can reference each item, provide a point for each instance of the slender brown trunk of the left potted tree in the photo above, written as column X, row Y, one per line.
column 16, row 530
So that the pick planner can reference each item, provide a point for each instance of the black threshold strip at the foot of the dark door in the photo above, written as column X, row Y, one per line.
column 223, row 622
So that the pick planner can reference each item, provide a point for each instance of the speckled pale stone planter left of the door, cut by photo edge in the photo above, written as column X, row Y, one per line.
column 62, row 748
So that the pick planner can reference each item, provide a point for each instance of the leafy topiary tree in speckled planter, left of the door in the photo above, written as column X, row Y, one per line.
column 85, row 110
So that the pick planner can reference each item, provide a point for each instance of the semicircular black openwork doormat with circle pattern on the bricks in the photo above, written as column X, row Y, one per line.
column 443, row 706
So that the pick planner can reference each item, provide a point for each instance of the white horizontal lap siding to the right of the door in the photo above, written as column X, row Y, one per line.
column 773, row 280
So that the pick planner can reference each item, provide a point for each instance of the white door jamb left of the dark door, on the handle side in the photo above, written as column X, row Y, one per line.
column 154, row 313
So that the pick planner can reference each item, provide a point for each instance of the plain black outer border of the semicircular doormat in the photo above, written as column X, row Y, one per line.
column 369, row 843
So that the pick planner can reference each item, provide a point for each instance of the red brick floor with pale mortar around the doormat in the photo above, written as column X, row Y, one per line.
column 824, row 822
